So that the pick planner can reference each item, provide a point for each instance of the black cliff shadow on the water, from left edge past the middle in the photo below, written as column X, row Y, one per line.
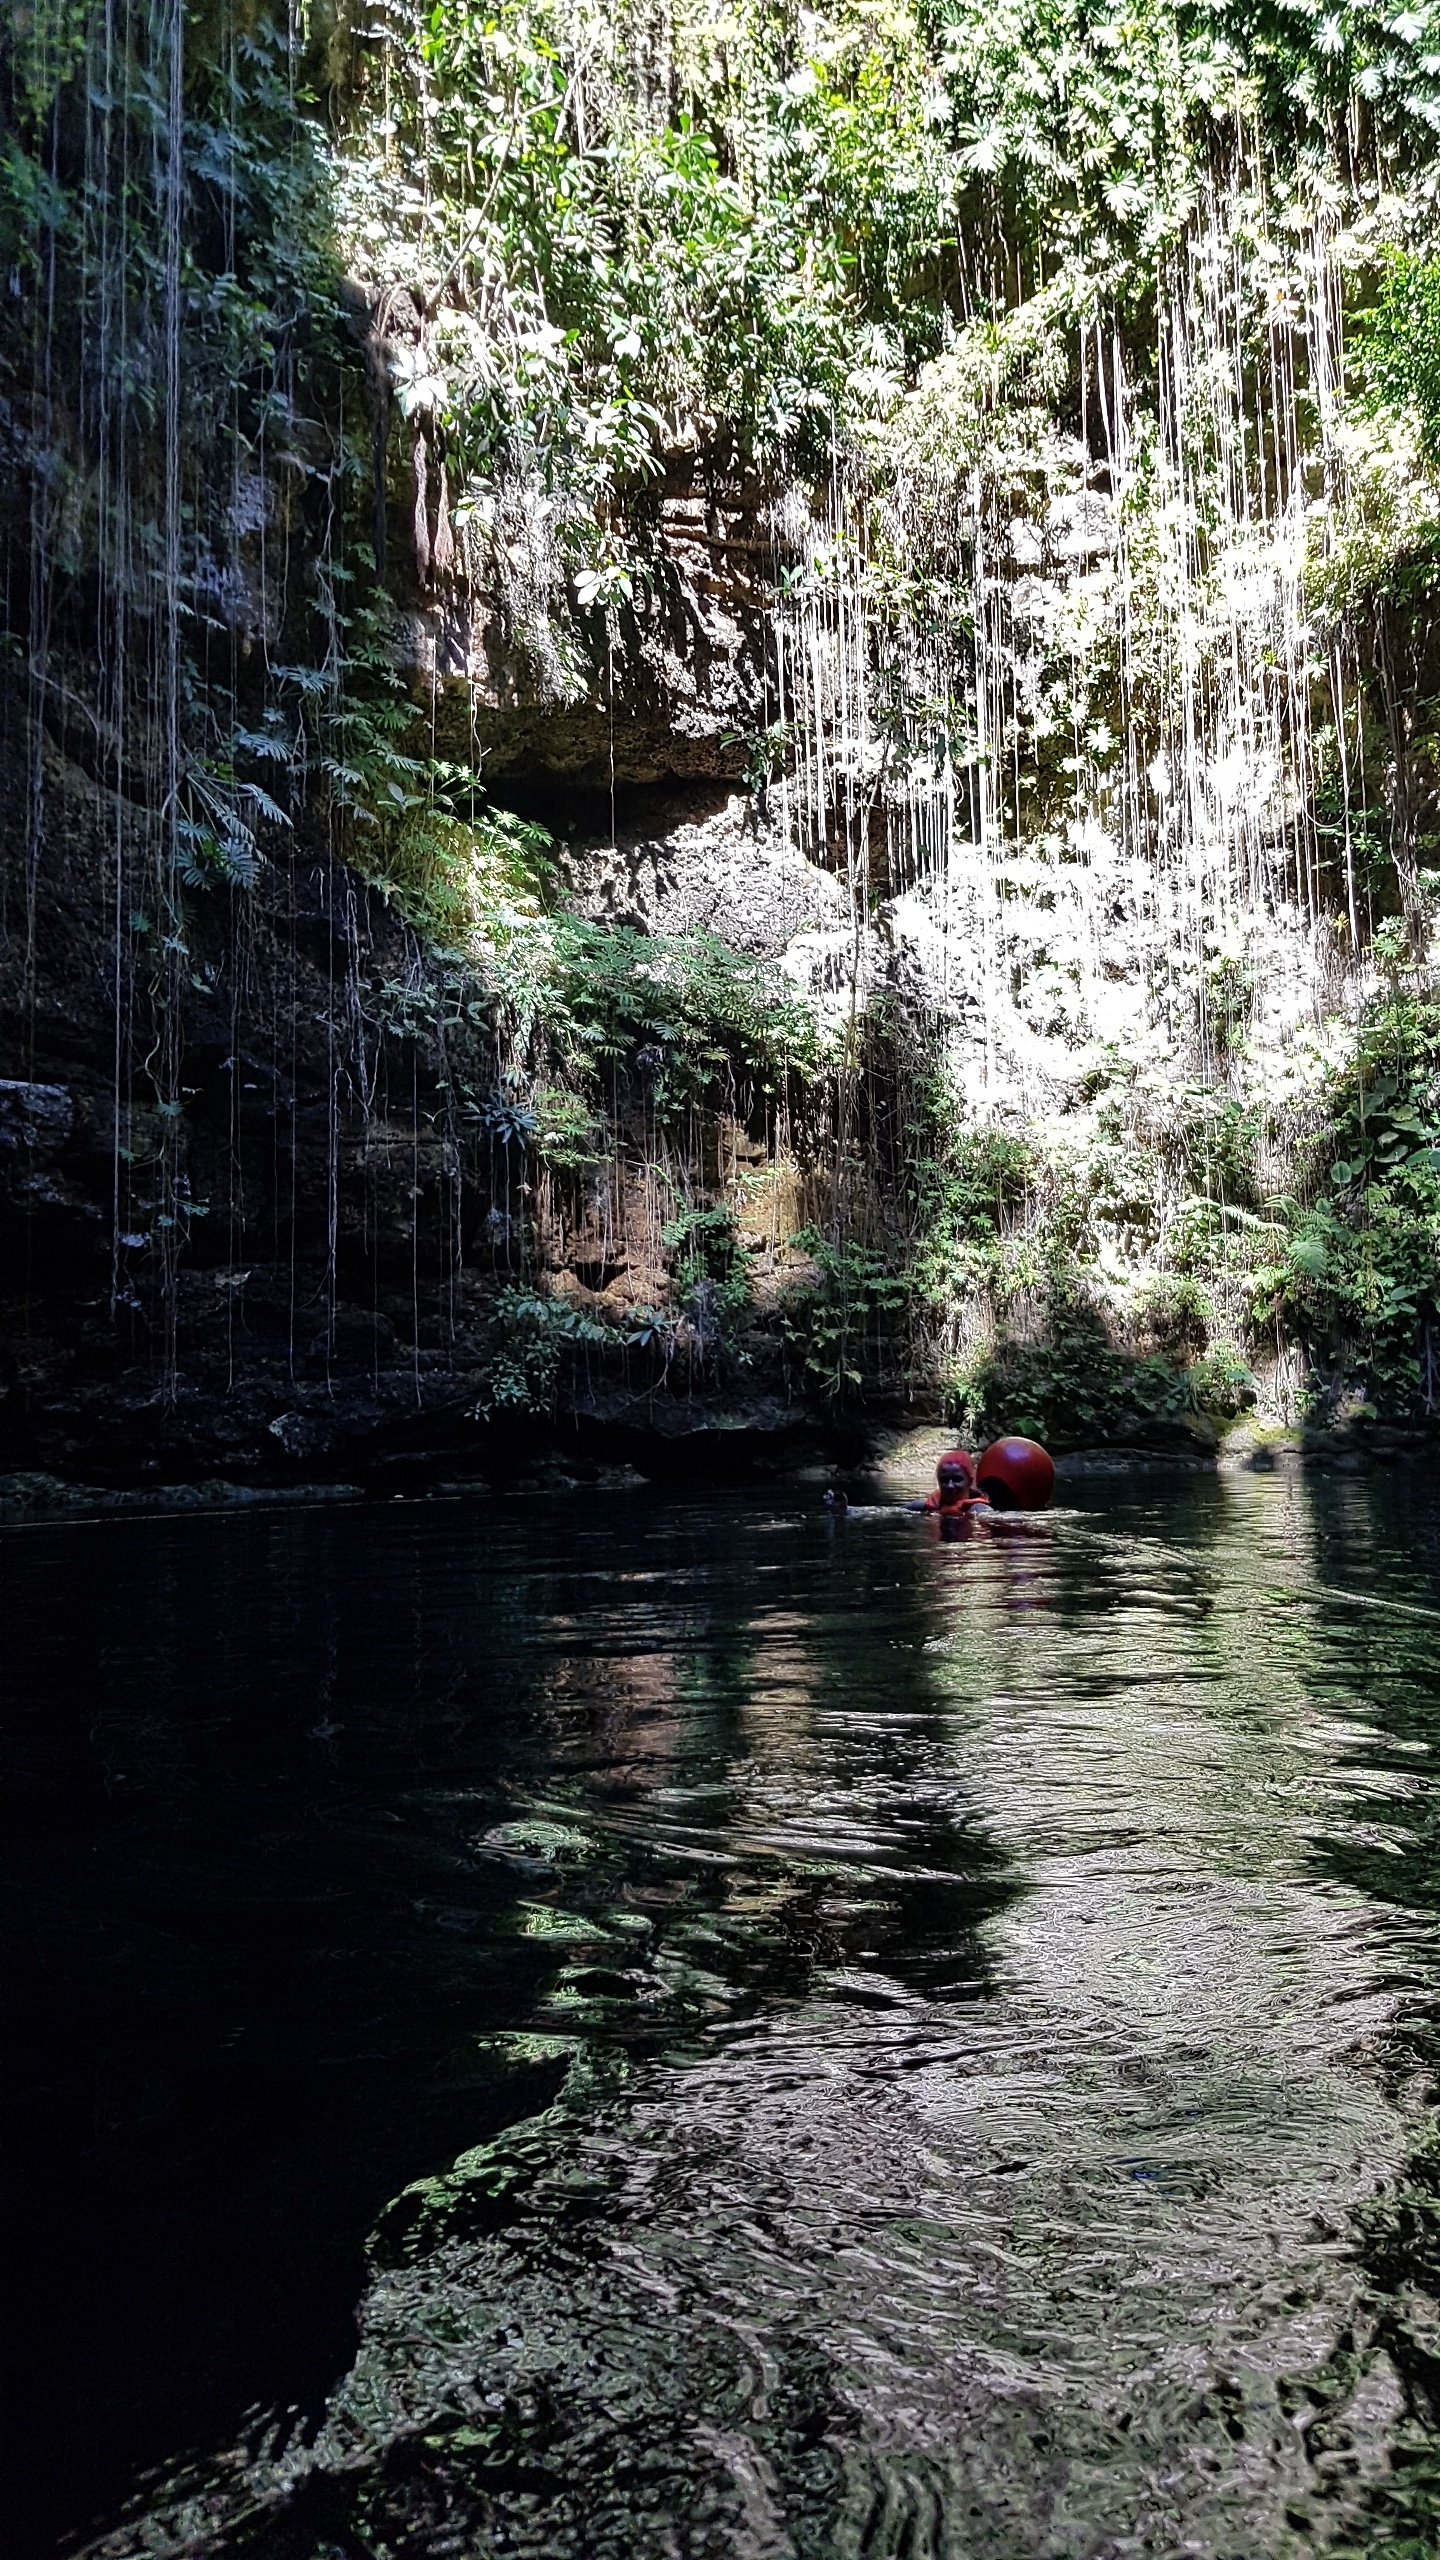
column 255, row 1937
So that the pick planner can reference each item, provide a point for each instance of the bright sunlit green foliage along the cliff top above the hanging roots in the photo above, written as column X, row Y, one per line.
column 783, row 239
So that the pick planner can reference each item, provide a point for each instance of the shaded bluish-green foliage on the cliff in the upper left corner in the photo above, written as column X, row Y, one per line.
column 191, row 403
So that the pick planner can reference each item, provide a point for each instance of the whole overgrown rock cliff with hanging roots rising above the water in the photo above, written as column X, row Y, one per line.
column 719, row 728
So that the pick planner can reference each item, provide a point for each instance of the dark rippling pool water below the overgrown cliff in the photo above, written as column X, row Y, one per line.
column 965, row 2016
